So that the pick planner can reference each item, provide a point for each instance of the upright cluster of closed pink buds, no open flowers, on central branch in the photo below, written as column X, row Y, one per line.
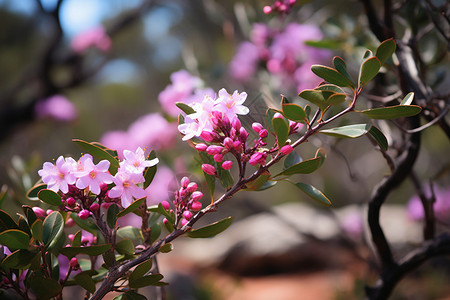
column 186, row 201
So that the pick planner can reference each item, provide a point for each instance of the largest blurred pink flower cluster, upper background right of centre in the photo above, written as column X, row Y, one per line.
column 284, row 54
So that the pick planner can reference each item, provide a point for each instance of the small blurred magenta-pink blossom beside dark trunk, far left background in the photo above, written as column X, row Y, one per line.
column 56, row 107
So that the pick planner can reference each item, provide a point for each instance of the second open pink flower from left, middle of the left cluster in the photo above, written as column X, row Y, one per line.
column 93, row 176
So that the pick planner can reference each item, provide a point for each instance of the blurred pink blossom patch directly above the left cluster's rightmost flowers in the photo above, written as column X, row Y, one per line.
column 151, row 131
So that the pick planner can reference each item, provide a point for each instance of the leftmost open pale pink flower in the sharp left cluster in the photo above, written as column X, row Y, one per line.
column 58, row 176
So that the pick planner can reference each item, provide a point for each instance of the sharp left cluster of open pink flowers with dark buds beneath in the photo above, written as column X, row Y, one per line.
column 86, row 186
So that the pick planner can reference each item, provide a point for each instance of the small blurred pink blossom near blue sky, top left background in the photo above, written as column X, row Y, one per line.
column 95, row 37
